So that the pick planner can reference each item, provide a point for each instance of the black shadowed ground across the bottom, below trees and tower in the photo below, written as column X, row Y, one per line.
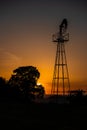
column 16, row 115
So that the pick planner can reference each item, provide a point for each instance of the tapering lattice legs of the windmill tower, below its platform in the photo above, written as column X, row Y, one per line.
column 60, row 82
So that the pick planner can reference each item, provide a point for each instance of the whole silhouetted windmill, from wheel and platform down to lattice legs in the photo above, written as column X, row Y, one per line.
column 60, row 82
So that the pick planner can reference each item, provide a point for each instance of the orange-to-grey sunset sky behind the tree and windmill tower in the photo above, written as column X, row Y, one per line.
column 26, row 29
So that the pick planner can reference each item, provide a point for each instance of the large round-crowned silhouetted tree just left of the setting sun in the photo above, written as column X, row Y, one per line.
column 24, row 80
